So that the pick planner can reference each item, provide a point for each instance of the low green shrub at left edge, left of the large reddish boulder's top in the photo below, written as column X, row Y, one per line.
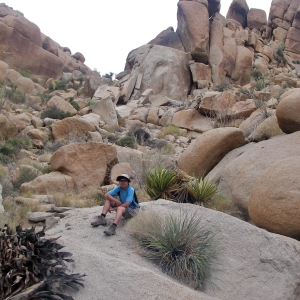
column 11, row 148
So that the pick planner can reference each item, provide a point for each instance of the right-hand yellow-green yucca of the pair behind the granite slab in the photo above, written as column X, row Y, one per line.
column 201, row 189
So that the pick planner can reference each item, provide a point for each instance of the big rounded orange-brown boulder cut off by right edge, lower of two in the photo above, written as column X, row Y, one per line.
column 274, row 200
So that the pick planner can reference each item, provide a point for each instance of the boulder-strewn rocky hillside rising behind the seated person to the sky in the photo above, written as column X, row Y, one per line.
column 217, row 97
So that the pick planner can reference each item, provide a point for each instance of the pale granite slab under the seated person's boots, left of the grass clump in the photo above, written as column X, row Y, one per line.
column 113, row 266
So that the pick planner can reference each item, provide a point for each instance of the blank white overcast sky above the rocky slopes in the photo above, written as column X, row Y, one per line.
column 105, row 31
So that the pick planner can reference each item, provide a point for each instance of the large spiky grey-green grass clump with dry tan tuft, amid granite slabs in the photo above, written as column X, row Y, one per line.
column 180, row 245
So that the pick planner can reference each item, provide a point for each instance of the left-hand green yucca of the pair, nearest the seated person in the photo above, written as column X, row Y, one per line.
column 158, row 181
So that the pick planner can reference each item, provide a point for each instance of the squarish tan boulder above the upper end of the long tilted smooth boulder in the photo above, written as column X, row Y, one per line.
column 190, row 119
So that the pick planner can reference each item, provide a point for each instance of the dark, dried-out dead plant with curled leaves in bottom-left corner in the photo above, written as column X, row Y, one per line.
column 35, row 267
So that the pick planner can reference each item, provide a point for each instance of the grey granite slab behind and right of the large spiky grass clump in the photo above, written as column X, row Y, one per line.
column 254, row 254
